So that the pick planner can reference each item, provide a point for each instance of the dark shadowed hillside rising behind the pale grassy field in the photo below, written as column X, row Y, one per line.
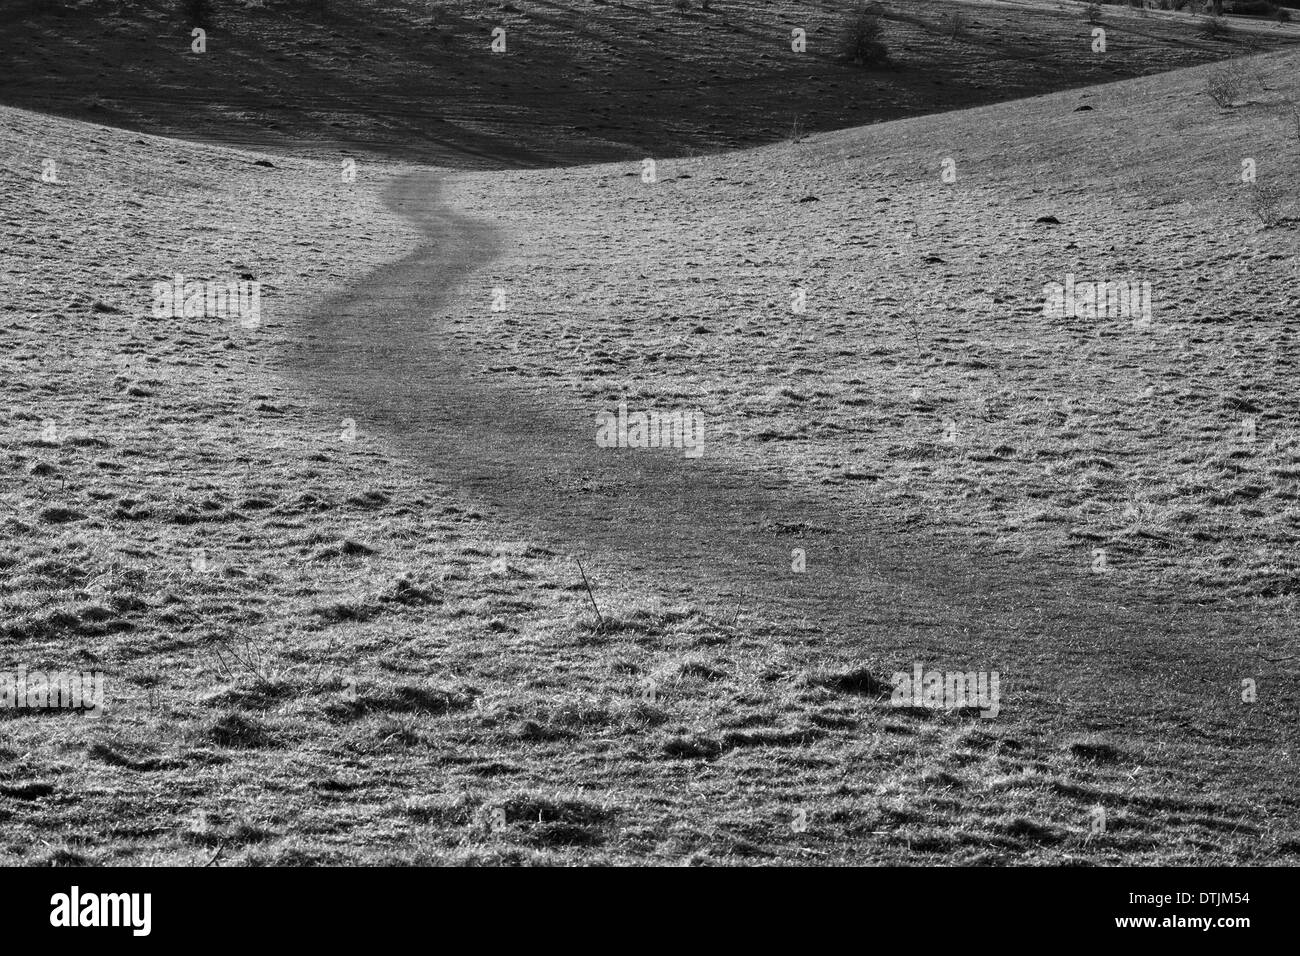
column 580, row 80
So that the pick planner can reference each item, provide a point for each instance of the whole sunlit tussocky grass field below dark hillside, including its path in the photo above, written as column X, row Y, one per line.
column 330, row 563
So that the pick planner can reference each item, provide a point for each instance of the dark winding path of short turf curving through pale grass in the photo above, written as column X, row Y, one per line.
column 700, row 530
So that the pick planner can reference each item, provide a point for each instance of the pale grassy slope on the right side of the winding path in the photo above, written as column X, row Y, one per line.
column 925, row 378
